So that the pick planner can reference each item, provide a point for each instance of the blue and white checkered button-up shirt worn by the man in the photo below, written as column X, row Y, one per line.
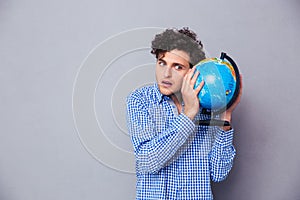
column 175, row 159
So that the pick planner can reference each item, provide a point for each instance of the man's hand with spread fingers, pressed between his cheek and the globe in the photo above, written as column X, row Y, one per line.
column 189, row 94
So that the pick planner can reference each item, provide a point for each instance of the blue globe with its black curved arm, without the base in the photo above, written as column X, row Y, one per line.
column 221, row 83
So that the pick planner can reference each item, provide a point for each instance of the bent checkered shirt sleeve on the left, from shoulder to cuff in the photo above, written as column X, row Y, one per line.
column 153, row 150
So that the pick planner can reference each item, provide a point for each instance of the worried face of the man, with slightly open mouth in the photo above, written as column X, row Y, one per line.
column 171, row 67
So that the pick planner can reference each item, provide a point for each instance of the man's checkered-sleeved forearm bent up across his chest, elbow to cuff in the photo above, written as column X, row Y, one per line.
column 154, row 153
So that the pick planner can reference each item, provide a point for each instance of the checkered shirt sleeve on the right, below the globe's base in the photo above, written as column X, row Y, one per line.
column 222, row 155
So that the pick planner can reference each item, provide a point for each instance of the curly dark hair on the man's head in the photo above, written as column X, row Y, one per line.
column 183, row 39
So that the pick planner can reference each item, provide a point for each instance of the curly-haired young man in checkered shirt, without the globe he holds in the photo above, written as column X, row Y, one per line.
column 175, row 157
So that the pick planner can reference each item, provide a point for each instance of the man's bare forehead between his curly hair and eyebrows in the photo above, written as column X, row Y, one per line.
column 175, row 56
